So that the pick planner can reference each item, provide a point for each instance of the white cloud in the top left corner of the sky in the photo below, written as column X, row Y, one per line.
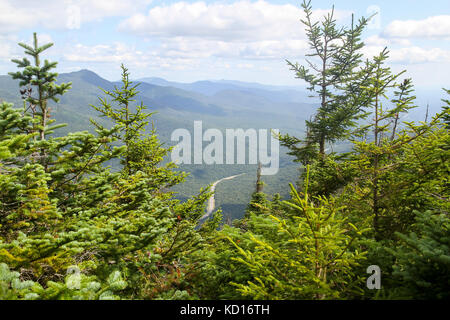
column 65, row 14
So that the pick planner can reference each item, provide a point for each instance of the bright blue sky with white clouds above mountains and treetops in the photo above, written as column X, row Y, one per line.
column 194, row 40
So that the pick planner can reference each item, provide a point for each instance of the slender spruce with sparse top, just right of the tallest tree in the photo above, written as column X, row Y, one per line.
column 378, row 157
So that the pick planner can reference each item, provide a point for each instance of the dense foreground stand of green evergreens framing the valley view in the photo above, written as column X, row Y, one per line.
column 93, row 214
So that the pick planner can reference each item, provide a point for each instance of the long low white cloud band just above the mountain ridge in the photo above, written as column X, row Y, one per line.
column 184, row 50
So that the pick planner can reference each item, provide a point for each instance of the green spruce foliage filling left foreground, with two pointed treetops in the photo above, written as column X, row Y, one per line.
column 61, row 206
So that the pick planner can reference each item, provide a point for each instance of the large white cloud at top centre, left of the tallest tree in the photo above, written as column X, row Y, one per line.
column 239, row 30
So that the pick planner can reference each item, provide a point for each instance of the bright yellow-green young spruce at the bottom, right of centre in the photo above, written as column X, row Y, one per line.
column 307, row 256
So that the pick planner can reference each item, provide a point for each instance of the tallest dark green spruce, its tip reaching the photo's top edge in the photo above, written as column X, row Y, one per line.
column 330, row 76
